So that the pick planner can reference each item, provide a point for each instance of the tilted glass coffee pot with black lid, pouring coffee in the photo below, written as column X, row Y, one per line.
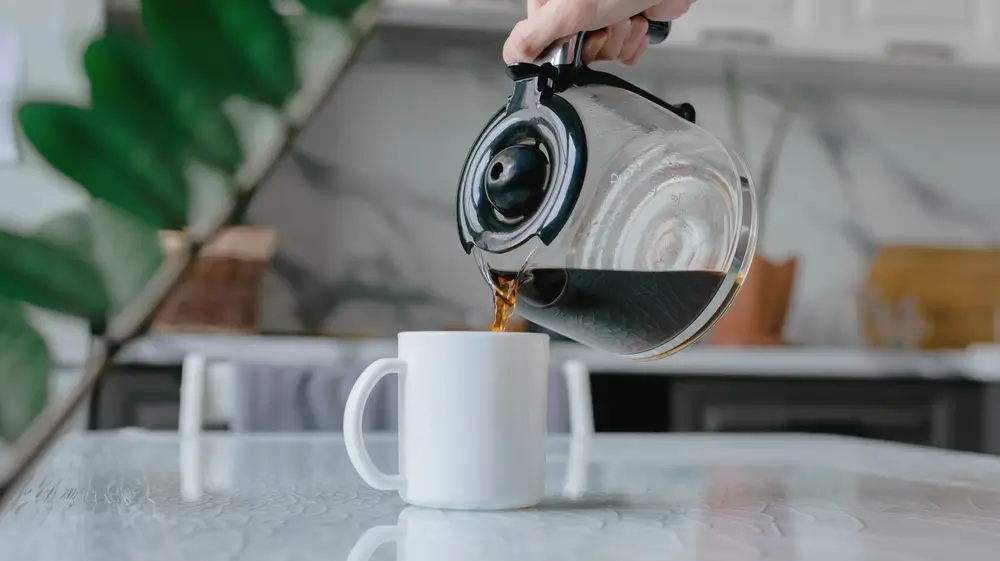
column 621, row 223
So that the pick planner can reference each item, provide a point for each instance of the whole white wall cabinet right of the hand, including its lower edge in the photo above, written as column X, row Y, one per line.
column 954, row 43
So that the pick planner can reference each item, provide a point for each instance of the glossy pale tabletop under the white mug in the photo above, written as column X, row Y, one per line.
column 153, row 496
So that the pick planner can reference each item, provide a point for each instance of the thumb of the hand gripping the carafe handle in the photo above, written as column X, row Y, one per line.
column 545, row 24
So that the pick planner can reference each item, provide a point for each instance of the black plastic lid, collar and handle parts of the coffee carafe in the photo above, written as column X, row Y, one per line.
column 525, row 172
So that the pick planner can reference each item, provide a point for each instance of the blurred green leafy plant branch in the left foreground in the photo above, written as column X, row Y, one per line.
column 184, row 125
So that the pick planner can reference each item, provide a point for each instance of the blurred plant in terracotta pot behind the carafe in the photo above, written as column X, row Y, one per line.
column 757, row 315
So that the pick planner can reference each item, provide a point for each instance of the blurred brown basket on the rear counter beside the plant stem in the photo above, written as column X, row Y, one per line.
column 221, row 293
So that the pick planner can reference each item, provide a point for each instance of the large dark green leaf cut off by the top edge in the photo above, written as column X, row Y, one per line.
column 237, row 47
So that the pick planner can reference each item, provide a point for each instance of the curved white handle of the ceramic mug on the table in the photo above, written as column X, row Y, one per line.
column 354, row 413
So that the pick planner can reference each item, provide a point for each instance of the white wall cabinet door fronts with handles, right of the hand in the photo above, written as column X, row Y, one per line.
column 943, row 30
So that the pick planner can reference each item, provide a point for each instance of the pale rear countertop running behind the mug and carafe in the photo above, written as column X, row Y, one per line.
column 983, row 364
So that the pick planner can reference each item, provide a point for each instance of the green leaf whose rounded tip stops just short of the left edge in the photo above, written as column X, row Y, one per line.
column 110, row 159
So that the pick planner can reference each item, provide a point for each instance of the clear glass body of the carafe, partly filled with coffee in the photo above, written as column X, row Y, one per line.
column 659, row 239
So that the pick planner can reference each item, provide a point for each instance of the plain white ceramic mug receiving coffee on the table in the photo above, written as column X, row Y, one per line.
column 472, row 419
